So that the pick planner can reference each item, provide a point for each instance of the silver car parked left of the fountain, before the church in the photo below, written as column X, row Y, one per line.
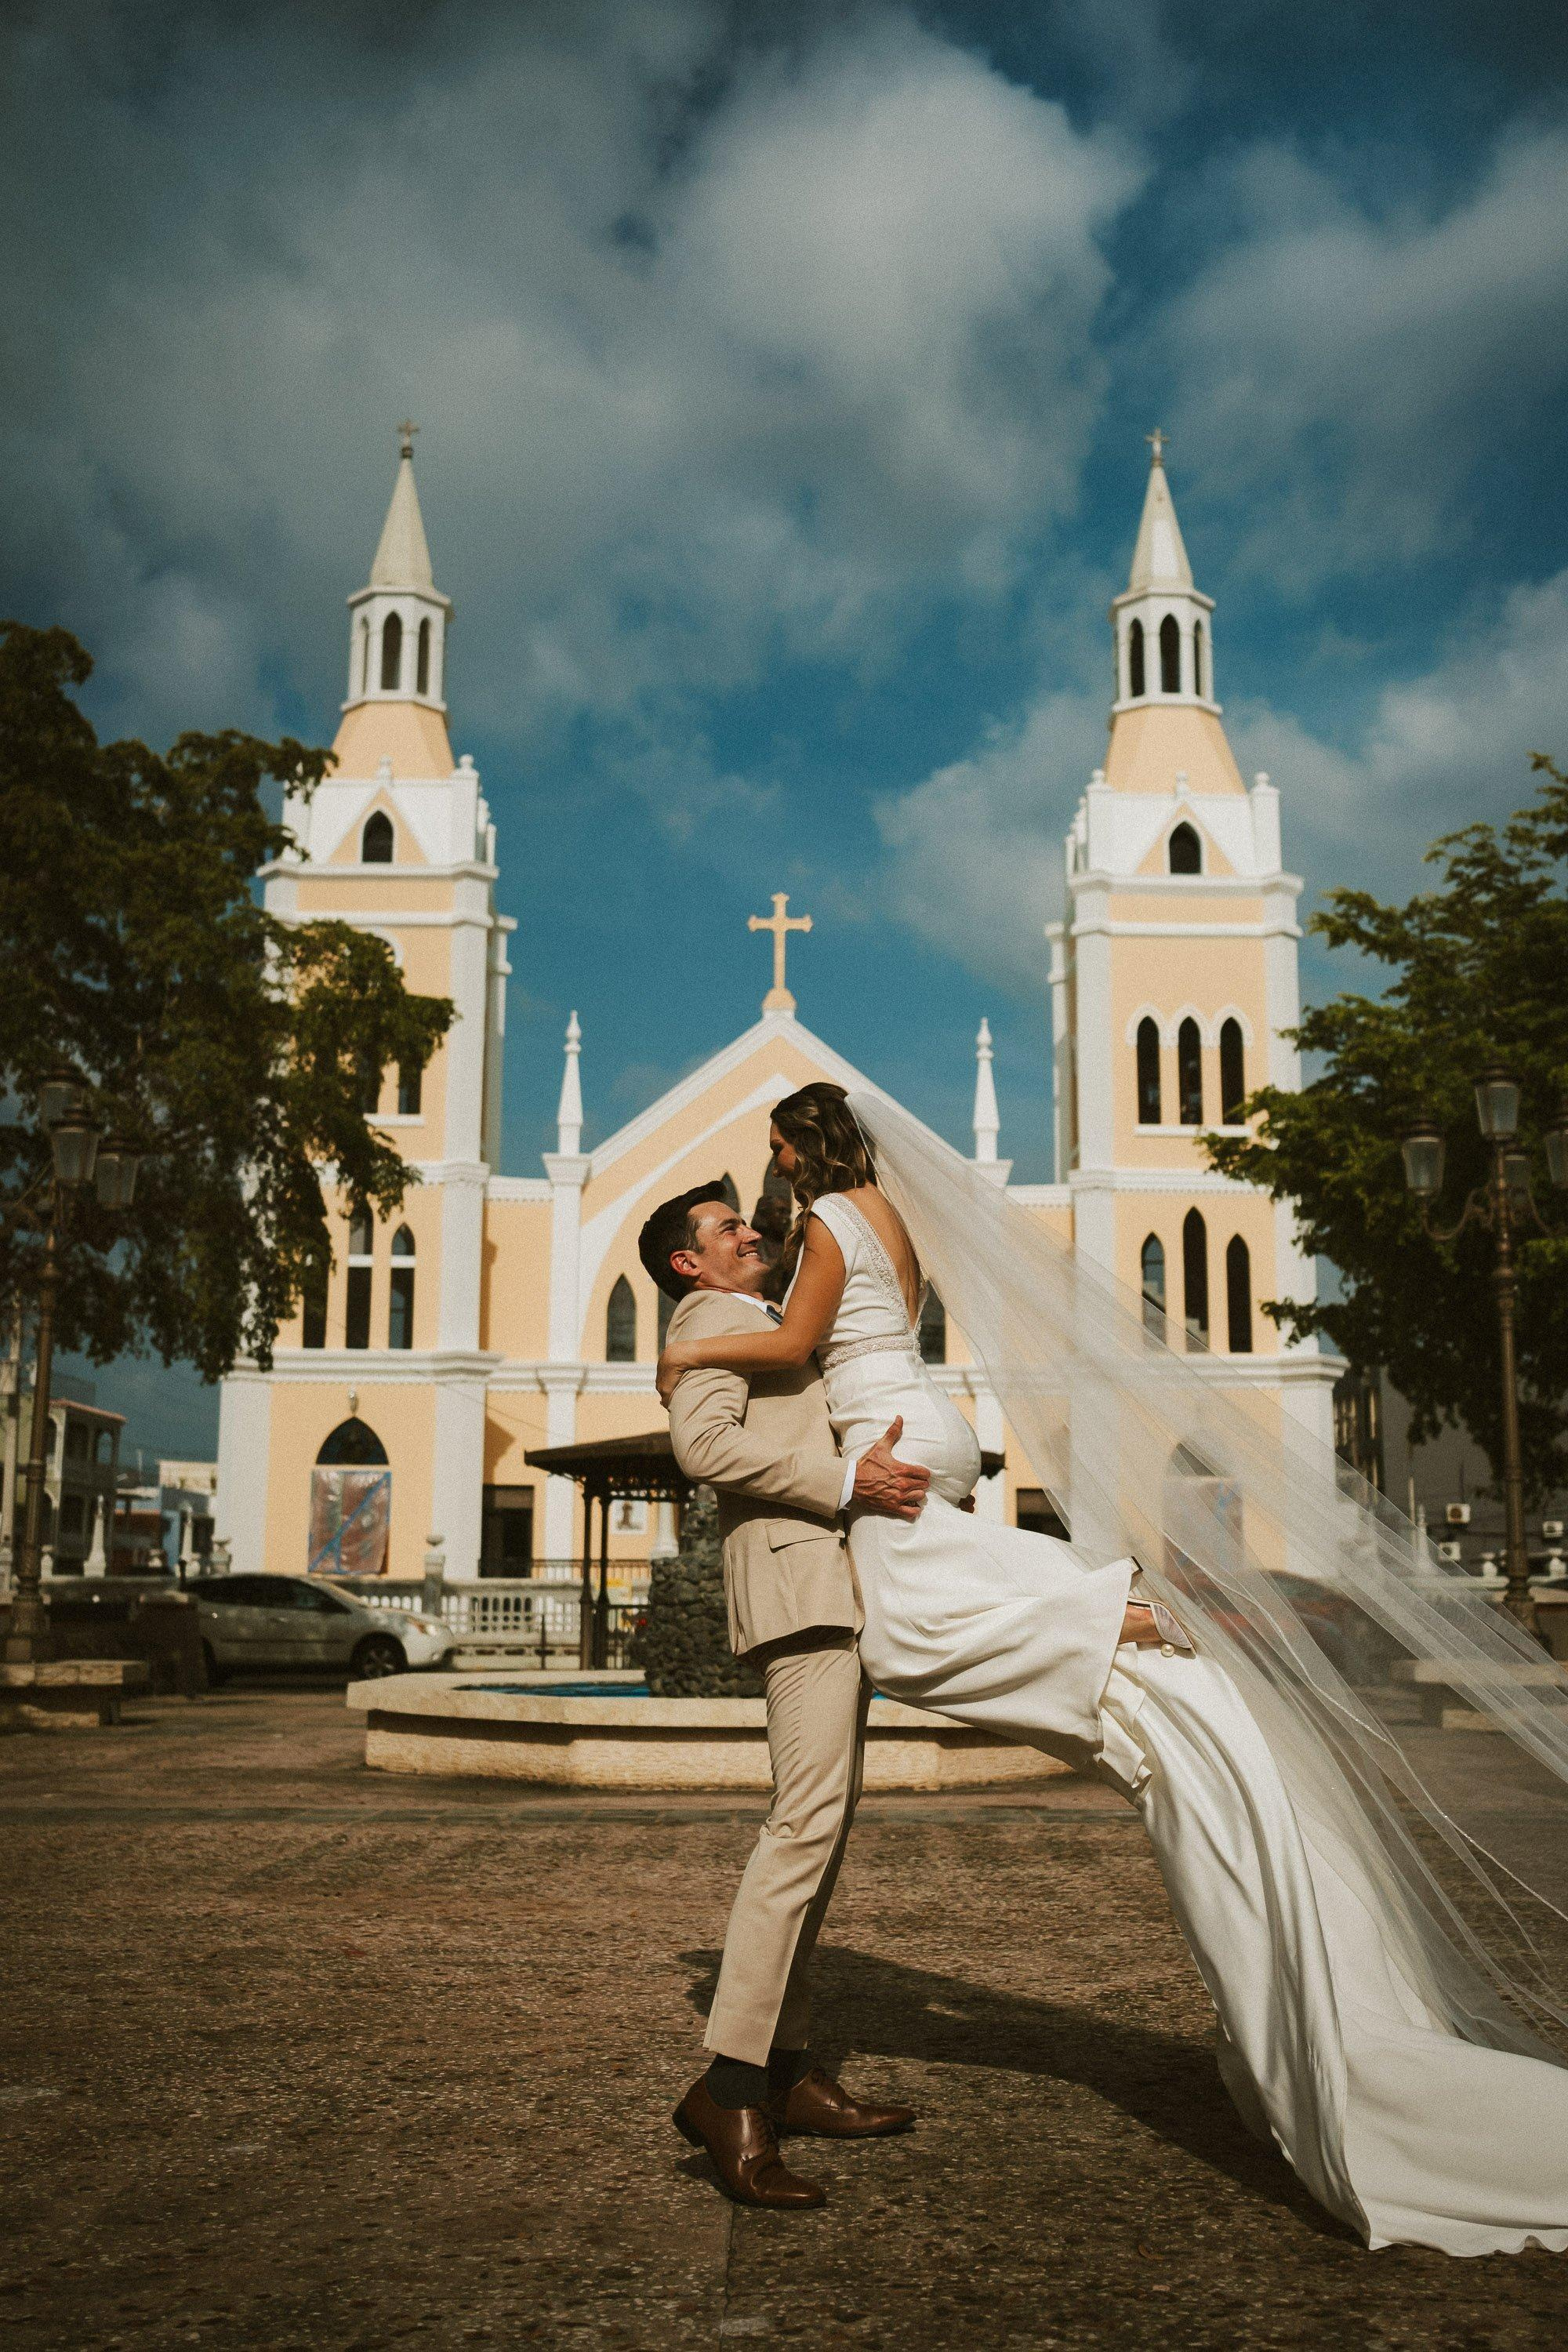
column 304, row 1622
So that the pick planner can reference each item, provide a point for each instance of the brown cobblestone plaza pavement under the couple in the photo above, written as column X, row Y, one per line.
column 302, row 2057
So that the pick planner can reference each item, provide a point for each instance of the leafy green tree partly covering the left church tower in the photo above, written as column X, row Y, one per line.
column 234, row 1048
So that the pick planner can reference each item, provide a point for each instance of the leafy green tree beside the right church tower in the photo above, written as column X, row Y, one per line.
column 1480, row 975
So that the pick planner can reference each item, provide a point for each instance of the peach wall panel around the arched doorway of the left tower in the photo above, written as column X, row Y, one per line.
column 304, row 1412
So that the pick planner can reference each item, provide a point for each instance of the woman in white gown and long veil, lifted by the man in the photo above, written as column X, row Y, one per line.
column 1224, row 1643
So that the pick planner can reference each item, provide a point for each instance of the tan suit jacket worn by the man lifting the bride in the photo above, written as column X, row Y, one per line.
column 768, row 1448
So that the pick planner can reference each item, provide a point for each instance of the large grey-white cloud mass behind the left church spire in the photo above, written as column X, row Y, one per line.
column 721, row 349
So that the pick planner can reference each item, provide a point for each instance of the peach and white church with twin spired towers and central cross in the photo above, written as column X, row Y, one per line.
column 507, row 1314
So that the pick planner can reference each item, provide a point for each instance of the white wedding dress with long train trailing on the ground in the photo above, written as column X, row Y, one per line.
column 1398, row 2125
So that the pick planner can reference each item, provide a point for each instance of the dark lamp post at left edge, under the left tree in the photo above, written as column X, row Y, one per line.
column 79, row 1154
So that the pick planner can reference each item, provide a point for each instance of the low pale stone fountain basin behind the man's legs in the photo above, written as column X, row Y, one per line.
column 575, row 1730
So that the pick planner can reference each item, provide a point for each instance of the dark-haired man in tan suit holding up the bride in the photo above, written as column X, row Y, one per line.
column 796, row 1615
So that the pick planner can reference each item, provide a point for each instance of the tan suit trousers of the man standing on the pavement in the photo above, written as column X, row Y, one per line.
column 817, row 1746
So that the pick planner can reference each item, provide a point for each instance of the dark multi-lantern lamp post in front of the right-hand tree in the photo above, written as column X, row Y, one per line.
column 1503, row 1203
